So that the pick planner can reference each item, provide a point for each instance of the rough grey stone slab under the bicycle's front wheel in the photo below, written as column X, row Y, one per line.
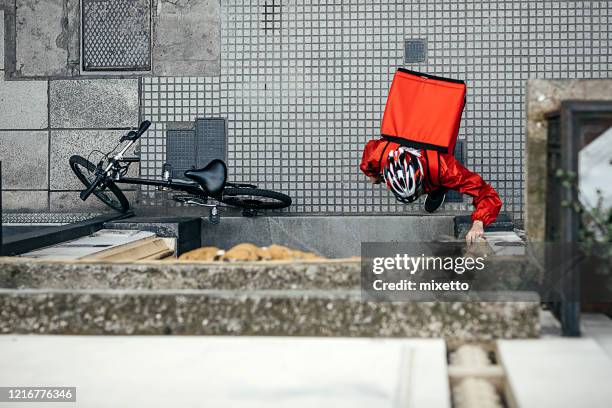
column 66, row 143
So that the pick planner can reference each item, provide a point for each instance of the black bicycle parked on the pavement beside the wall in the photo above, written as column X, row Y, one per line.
column 208, row 182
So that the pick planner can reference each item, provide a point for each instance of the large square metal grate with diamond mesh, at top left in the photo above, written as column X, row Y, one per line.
column 116, row 35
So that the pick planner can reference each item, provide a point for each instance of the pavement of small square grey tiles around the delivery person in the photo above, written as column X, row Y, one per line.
column 302, row 96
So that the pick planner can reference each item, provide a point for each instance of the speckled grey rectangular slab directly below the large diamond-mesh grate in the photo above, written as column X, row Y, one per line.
column 94, row 103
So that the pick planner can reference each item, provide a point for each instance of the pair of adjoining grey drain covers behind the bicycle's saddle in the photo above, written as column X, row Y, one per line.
column 195, row 148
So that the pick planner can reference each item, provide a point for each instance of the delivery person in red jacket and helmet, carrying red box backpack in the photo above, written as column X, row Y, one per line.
column 414, row 155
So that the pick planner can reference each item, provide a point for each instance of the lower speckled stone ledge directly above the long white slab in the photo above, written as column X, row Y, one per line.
column 263, row 313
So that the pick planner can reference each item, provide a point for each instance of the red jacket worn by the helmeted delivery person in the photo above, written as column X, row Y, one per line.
column 452, row 175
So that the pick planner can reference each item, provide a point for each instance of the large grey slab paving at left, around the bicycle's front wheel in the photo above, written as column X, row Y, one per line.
column 43, row 123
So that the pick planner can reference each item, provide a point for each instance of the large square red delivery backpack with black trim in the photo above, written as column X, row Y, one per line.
column 424, row 112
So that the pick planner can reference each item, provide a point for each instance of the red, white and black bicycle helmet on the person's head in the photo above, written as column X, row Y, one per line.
column 403, row 174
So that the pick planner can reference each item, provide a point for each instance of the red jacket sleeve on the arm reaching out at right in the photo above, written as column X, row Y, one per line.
column 456, row 177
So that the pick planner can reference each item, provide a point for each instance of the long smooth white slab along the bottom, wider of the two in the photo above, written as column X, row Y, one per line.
column 234, row 372
